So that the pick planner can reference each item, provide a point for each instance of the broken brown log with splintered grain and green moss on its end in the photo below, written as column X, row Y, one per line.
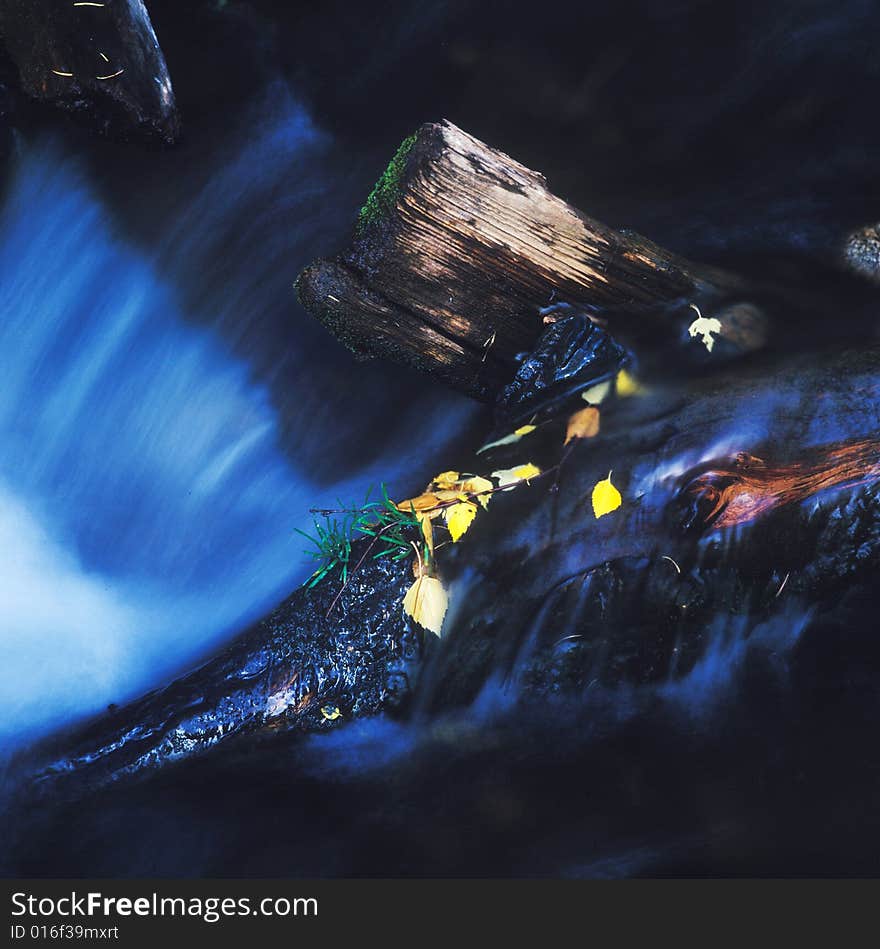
column 458, row 248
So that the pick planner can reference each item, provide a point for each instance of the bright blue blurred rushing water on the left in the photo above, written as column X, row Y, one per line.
column 147, row 502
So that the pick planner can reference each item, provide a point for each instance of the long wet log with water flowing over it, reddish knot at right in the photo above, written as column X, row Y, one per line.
column 539, row 581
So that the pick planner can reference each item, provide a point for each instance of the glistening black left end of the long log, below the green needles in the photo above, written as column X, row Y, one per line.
column 297, row 669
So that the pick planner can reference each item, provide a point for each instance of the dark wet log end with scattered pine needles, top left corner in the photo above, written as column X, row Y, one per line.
column 101, row 59
